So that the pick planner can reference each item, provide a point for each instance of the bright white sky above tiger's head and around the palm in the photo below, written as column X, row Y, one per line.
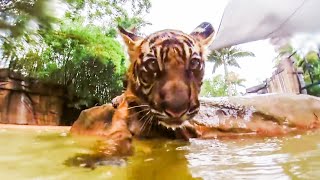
column 186, row 15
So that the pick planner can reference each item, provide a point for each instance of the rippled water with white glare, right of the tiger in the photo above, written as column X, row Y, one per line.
column 272, row 158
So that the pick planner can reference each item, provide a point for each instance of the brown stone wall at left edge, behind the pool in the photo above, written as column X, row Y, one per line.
column 28, row 101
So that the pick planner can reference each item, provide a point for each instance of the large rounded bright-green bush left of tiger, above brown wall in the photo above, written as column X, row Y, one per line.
column 85, row 60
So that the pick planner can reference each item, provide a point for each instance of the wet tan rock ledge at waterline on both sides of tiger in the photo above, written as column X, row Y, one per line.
column 266, row 115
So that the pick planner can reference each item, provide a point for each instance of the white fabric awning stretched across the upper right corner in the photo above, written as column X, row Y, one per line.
column 250, row 20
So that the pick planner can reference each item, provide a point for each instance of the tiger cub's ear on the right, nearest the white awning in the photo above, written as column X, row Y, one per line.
column 203, row 33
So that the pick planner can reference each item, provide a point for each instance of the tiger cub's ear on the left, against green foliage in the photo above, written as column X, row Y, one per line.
column 131, row 40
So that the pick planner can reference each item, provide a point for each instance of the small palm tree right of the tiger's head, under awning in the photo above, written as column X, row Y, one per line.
column 227, row 57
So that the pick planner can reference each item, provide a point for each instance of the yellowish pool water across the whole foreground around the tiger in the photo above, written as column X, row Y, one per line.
column 53, row 154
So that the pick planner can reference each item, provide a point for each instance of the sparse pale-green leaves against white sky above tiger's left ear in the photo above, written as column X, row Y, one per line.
column 109, row 13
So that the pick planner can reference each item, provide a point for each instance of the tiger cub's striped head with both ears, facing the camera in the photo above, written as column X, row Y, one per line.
column 166, row 71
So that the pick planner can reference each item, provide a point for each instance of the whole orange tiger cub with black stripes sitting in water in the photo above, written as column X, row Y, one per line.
column 163, row 84
